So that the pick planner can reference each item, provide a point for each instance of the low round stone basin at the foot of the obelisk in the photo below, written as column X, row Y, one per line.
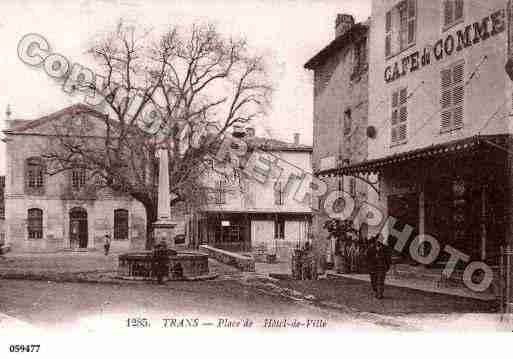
column 140, row 266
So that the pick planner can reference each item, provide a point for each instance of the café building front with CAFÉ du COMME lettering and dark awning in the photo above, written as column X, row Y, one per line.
column 439, row 109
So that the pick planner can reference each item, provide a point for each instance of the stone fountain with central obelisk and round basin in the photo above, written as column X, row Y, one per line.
column 183, row 265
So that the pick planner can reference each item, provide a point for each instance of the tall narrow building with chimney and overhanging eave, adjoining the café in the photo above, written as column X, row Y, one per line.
column 340, row 114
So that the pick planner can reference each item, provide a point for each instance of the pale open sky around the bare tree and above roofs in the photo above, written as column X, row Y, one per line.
column 289, row 32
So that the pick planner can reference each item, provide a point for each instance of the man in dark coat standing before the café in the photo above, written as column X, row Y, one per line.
column 378, row 261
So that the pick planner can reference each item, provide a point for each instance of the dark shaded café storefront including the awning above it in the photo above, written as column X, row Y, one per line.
column 455, row 192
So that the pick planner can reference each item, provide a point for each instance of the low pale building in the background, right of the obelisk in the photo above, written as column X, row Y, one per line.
column 244, row 214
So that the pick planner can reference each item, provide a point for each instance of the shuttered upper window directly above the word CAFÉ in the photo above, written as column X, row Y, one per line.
column 400, row 27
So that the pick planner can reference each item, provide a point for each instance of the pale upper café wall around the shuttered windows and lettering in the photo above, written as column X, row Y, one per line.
column 484, row 95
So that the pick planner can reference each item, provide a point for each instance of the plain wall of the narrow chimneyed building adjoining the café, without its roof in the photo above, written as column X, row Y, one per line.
column 336, row 90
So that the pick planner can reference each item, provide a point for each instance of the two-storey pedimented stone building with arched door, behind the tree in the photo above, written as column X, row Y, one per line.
column 61, row 212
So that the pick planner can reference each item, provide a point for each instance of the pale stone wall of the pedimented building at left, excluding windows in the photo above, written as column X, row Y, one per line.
column 56, row 204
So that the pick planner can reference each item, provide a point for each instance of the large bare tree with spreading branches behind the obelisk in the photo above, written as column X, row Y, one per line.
column 162, row 93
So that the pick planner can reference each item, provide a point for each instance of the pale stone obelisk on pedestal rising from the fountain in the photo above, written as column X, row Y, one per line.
column 163, row 227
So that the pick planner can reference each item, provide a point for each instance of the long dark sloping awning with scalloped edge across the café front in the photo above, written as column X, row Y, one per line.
column 463, row 146
